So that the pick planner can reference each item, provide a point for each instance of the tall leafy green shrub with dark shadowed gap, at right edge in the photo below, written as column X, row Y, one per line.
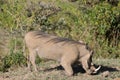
column 104, row 19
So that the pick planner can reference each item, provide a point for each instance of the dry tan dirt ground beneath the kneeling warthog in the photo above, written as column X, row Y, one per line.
column 51, row 70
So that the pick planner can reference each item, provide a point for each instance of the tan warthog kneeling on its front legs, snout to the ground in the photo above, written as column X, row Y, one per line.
column 63, row 50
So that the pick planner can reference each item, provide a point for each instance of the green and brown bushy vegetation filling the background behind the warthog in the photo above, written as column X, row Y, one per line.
column 96, row 22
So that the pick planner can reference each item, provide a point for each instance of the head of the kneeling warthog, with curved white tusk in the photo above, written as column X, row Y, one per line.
column 86, row 61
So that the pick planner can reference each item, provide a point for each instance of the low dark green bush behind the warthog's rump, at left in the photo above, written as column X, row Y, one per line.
column 13, row 59
